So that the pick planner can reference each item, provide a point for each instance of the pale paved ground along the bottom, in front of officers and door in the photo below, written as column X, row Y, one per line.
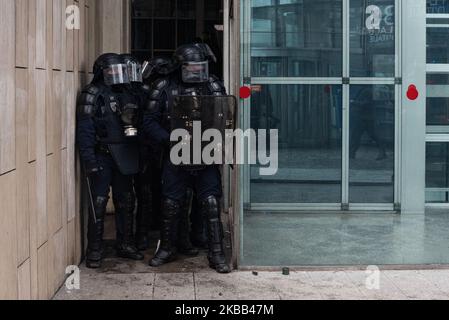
column 144, row 283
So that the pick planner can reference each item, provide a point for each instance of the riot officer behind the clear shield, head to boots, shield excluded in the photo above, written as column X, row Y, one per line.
column 192, row 78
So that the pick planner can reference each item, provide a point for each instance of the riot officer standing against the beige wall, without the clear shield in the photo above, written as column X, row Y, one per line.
column 106, row 134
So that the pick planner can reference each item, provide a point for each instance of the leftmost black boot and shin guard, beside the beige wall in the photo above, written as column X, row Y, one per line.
column 95, row 231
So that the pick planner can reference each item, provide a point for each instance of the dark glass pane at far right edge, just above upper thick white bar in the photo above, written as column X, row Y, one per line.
column 437, row 45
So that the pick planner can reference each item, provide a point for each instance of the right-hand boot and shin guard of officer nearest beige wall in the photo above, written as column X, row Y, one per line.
column 124, row 207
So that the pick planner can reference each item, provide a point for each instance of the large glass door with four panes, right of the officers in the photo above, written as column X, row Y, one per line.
column 326, row 75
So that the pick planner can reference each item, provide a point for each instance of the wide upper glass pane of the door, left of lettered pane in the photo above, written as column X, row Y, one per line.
column 302, row 38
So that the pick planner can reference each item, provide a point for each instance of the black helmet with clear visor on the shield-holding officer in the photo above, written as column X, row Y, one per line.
column 194, row 62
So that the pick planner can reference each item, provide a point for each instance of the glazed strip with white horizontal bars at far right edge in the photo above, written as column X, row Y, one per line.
column 437, row 149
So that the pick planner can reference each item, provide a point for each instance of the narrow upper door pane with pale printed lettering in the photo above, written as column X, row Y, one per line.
column 372, row 38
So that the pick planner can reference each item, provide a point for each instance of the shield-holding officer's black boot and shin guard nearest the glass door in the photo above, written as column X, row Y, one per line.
column 210, row 209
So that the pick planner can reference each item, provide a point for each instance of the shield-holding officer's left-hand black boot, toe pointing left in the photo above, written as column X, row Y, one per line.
column 167, row 250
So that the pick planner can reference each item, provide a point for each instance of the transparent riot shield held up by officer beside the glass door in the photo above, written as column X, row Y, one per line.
column 210, row 112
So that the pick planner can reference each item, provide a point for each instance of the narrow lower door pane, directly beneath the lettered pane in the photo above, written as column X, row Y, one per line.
column 371, row 144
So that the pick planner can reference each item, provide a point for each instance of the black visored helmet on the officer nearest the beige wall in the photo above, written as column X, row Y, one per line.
column 111, row 69
